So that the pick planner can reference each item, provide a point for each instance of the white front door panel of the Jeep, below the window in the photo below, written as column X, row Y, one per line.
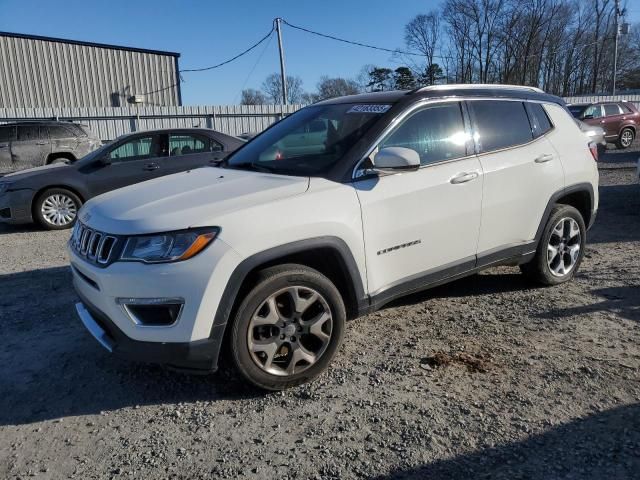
column 419, row 221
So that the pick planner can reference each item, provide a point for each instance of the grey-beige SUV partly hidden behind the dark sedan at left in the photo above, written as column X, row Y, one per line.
column 34, row 144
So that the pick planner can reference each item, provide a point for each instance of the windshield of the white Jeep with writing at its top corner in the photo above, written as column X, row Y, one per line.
column 310, row 141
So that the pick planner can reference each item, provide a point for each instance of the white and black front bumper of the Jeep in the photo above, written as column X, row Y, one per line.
column 192, row 341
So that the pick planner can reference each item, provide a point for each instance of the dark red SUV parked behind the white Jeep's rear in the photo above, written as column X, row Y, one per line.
column 619, row 120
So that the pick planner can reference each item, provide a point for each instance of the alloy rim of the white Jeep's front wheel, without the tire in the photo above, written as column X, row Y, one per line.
column 290, row 331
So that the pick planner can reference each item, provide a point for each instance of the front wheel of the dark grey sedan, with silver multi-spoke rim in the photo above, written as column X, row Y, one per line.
column 56, row 209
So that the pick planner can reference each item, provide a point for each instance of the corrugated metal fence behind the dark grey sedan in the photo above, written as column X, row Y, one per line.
column 111, row 122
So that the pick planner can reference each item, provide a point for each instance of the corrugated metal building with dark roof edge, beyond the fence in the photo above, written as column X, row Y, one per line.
column 40, row 72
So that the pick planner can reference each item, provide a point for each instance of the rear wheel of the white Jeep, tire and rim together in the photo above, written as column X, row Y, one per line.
column 564, row 232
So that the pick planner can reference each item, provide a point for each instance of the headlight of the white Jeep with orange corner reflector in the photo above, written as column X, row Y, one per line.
column 168, row 247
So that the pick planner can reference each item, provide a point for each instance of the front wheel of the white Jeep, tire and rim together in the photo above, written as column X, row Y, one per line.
column 269, row 334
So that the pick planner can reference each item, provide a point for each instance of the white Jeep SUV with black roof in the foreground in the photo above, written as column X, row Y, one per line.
column 330, row 214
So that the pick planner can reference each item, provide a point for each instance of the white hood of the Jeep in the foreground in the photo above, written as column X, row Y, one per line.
column 184, row 200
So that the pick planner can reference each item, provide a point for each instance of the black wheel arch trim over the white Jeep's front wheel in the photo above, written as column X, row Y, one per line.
column 239, row 275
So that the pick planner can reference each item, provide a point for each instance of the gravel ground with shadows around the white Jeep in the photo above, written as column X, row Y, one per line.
column 483, row 378
